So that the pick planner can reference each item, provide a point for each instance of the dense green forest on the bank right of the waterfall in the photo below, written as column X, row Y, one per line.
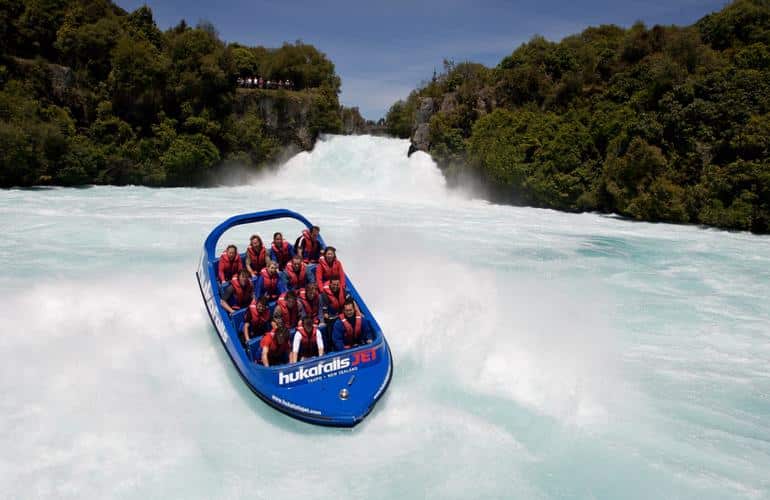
column 661, row 124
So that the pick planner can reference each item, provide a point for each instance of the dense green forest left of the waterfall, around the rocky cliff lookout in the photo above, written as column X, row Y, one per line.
column 92, row 94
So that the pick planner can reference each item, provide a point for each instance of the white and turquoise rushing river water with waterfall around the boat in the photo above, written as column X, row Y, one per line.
column 537, row 354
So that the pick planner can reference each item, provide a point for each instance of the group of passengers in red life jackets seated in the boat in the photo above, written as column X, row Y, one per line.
column 295, row 296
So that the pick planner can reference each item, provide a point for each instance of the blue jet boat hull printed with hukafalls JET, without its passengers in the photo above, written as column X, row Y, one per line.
column 338, row 389
